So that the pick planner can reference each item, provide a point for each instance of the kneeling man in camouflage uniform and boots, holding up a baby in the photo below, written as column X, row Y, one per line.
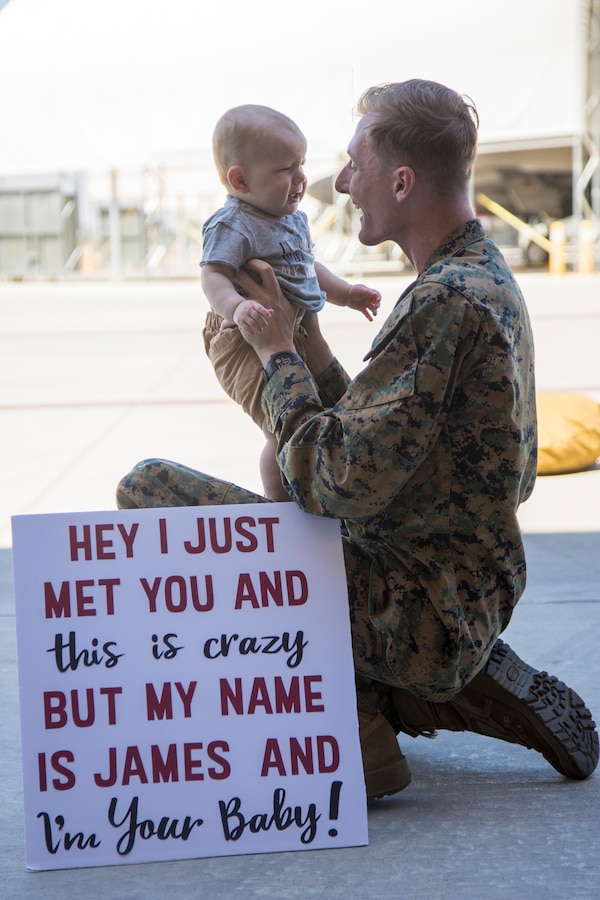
column 425, row 455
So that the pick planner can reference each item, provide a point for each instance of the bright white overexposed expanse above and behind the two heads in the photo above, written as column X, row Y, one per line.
column 130, row 81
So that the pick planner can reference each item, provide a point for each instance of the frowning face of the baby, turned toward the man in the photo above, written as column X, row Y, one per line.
column 275, row 179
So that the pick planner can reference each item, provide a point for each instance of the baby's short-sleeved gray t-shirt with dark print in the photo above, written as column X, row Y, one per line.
column 239, row 232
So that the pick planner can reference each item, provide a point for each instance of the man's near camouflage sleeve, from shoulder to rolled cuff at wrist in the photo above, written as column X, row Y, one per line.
column 353, row 460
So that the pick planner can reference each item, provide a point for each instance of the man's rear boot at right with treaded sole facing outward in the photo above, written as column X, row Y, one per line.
column 513, row 702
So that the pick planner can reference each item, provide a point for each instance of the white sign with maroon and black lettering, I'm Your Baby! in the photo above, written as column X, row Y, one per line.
column 186, row 685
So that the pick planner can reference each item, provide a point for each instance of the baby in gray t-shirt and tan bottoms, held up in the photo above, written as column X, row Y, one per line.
column 259, row 154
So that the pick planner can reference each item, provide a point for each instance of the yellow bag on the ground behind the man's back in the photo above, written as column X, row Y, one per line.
column 568, row 432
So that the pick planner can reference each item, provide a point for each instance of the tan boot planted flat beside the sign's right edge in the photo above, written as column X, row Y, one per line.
column 385, row 767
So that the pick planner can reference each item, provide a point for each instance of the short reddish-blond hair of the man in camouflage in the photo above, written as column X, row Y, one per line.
column 424, row 125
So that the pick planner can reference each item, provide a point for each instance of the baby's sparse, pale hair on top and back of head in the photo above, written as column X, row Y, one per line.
column 242, row 132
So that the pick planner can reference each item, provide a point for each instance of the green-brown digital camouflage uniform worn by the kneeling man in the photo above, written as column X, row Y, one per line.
column 425, row 455
